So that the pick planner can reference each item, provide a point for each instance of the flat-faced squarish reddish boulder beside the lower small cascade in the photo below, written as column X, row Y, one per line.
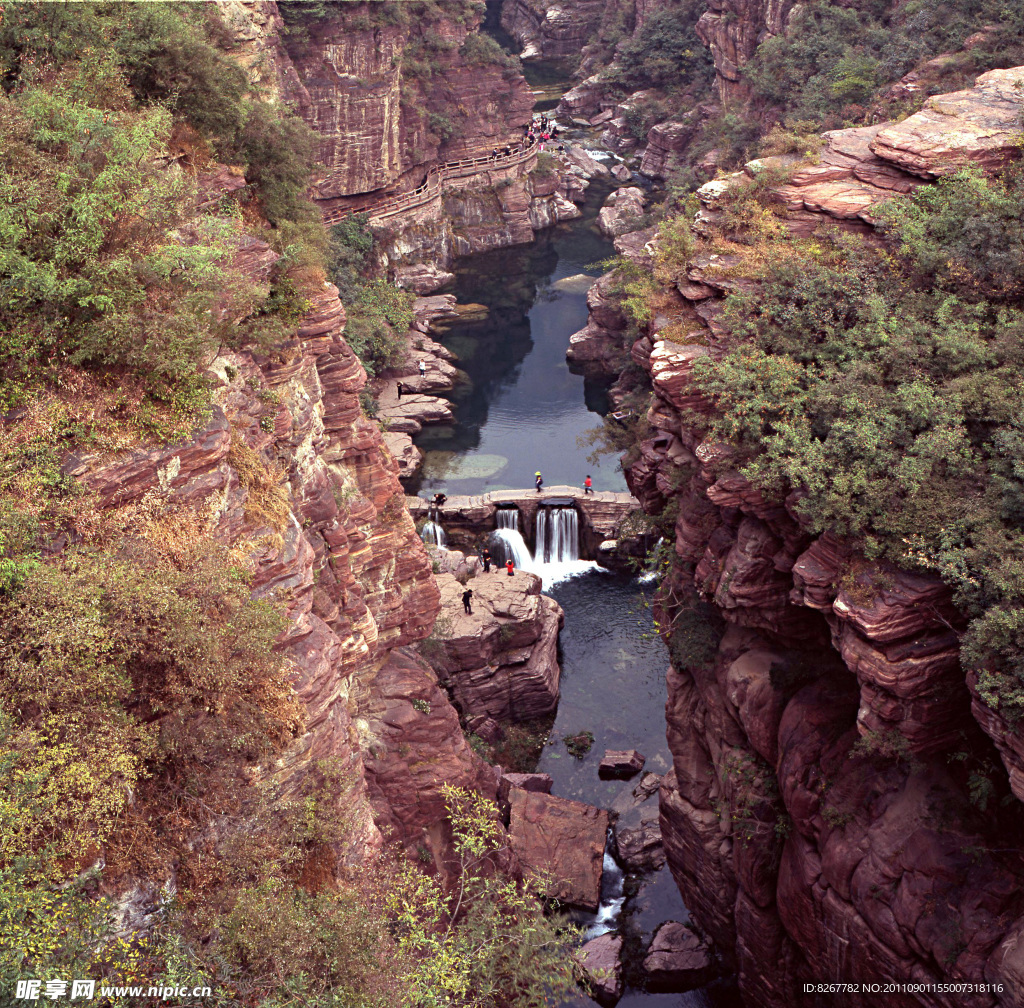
column 561, row 843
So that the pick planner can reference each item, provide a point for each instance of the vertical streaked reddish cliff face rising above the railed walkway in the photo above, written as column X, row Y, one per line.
column 354, row 68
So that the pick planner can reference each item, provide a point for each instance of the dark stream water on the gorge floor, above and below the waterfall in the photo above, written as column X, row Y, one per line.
column 522, row 410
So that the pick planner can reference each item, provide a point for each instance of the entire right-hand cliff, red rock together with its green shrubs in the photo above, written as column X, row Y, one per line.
column 837, row 810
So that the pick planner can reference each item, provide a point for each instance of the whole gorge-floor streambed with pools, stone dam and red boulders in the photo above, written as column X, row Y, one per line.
column 517, row 408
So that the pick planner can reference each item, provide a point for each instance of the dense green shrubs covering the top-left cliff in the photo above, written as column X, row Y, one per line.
column 104, row 261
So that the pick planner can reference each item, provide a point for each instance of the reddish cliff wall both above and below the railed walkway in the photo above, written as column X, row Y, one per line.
column 393, row 91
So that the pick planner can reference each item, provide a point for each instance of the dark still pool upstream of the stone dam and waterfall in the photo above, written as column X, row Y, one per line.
column 521, row 409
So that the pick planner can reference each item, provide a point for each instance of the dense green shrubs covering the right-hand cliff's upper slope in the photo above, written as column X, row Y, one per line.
column 885, row 388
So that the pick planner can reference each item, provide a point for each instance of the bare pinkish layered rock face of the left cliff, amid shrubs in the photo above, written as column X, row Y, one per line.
column 342, row 554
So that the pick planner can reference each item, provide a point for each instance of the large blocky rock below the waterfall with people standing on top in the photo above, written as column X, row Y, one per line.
column 502, row 661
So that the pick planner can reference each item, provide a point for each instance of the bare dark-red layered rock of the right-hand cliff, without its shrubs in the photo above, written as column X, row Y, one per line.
column 818, row 819
